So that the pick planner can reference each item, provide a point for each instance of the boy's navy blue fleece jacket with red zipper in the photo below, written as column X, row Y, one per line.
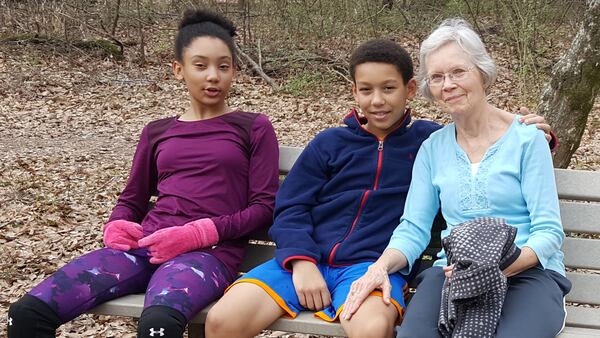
column 345, row 194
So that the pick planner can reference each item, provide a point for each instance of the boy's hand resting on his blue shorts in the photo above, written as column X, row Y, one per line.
column 310, row 286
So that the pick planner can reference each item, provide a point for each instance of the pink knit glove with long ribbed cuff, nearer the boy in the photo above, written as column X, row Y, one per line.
column 170, row 242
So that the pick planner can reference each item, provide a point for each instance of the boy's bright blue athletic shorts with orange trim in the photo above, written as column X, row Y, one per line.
column 278, row 283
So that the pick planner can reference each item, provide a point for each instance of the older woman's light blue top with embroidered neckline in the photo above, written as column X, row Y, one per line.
column 515, row 181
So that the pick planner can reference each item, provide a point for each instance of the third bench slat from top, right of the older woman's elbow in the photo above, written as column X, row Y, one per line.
column 582, row 253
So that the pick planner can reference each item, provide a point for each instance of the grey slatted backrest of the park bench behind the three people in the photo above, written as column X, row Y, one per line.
column 579, row 192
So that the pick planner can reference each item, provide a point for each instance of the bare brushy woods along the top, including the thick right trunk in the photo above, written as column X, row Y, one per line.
column 303, row 45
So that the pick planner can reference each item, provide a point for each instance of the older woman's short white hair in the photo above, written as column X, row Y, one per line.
column 459, row 31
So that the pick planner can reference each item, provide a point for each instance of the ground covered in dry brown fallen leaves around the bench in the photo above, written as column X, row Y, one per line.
column 68, row 128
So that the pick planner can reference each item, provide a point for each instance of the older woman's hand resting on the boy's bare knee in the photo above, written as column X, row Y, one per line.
column 376, row 278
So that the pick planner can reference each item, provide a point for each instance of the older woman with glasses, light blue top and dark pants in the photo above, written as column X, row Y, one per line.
column 484, row 164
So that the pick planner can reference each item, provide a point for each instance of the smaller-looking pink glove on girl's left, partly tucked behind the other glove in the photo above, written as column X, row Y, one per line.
column 122, row 235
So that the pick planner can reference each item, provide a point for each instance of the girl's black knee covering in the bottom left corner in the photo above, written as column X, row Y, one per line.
column 30, row 317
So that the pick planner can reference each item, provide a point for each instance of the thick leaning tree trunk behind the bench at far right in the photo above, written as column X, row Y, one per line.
column 569, row 96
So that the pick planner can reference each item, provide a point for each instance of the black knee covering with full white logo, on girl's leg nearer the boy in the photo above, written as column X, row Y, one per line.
column 161, row 321
